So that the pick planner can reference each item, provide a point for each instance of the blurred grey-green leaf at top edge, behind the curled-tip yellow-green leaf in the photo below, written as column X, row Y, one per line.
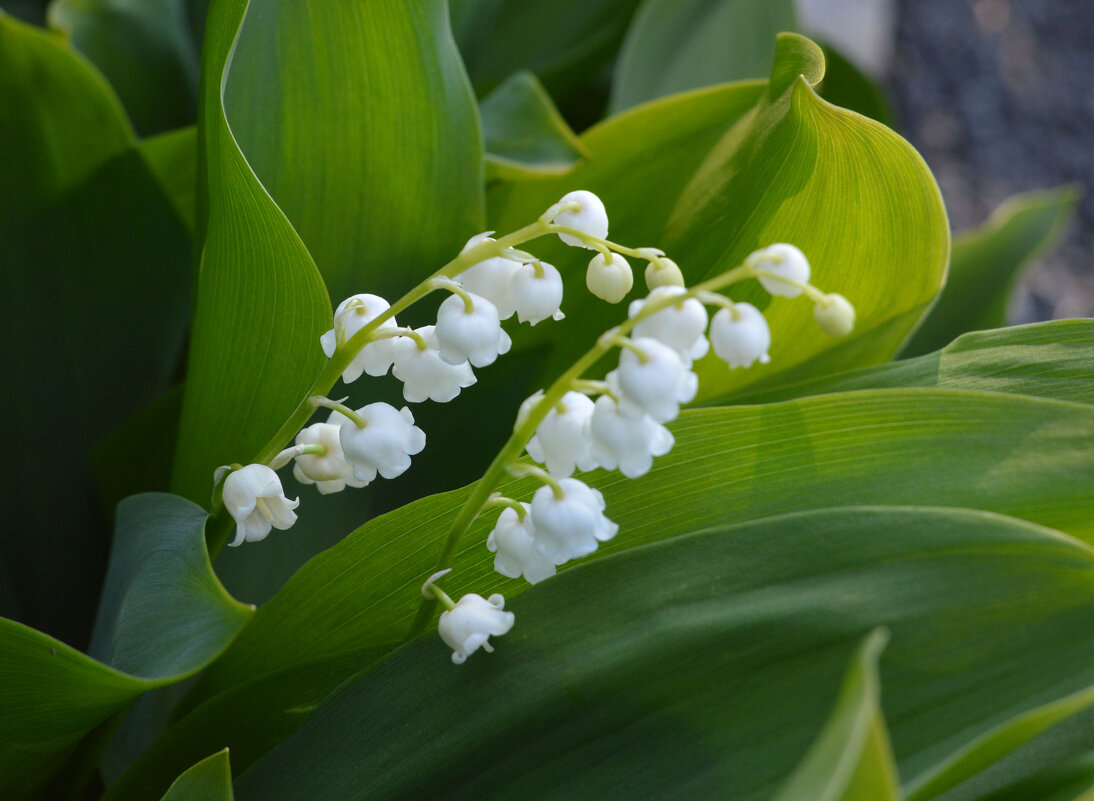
column 677, row 45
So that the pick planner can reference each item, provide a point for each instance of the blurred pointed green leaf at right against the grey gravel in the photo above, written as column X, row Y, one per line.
column 987, row 262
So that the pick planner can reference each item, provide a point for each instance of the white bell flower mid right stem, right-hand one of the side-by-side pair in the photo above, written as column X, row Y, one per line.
column 626, row 444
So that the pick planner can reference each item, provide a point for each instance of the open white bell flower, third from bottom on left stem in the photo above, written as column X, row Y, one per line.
column 385, row 445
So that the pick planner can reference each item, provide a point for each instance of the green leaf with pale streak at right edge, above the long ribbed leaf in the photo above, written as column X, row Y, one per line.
column 1049, row 361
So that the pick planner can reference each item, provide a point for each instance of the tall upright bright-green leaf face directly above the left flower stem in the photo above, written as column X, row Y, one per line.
column 359, row 121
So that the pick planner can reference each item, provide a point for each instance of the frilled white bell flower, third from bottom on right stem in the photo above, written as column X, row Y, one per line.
column 571, row 527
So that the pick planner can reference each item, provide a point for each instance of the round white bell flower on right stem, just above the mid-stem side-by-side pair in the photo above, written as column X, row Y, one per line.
column 656, row 387
